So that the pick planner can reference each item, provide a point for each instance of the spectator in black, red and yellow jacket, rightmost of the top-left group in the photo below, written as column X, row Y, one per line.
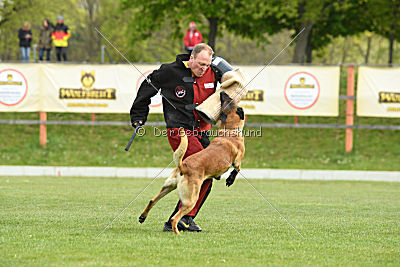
column 60, row 37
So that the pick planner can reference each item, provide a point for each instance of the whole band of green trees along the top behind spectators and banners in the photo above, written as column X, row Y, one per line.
column 245, row 31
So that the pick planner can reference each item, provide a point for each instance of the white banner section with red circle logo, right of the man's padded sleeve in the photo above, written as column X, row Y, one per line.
column 292, row 90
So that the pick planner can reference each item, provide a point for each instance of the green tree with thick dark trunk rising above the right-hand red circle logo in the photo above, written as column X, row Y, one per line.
column 322, row 21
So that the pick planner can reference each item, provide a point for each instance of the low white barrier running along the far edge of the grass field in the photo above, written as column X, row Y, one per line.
column 118, row 172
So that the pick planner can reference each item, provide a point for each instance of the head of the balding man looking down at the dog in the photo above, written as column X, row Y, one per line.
column 200, row 59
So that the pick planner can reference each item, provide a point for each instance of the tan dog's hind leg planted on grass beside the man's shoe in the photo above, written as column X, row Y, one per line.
column 189, row 195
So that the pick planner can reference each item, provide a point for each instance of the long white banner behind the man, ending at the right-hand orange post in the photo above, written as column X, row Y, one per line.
column 277, row 90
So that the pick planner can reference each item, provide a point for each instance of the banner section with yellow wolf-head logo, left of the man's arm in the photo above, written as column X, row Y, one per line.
column 90, row 88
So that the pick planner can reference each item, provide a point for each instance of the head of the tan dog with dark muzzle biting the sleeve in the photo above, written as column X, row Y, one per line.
column 232, row 116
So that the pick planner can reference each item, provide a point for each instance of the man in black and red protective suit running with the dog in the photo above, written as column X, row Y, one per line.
column 185, row 83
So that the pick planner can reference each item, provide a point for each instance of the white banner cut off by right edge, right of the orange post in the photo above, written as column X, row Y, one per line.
column 378, row 92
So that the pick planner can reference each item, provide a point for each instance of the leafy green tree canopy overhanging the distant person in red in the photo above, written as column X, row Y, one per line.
column 235, row 16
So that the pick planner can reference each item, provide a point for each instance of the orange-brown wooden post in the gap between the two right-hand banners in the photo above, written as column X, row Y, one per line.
column 350, row 108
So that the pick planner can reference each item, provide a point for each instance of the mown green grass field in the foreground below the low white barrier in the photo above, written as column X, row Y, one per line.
column 54, row 221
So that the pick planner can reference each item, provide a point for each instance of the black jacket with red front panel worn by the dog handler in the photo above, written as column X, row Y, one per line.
column 181, row 89
